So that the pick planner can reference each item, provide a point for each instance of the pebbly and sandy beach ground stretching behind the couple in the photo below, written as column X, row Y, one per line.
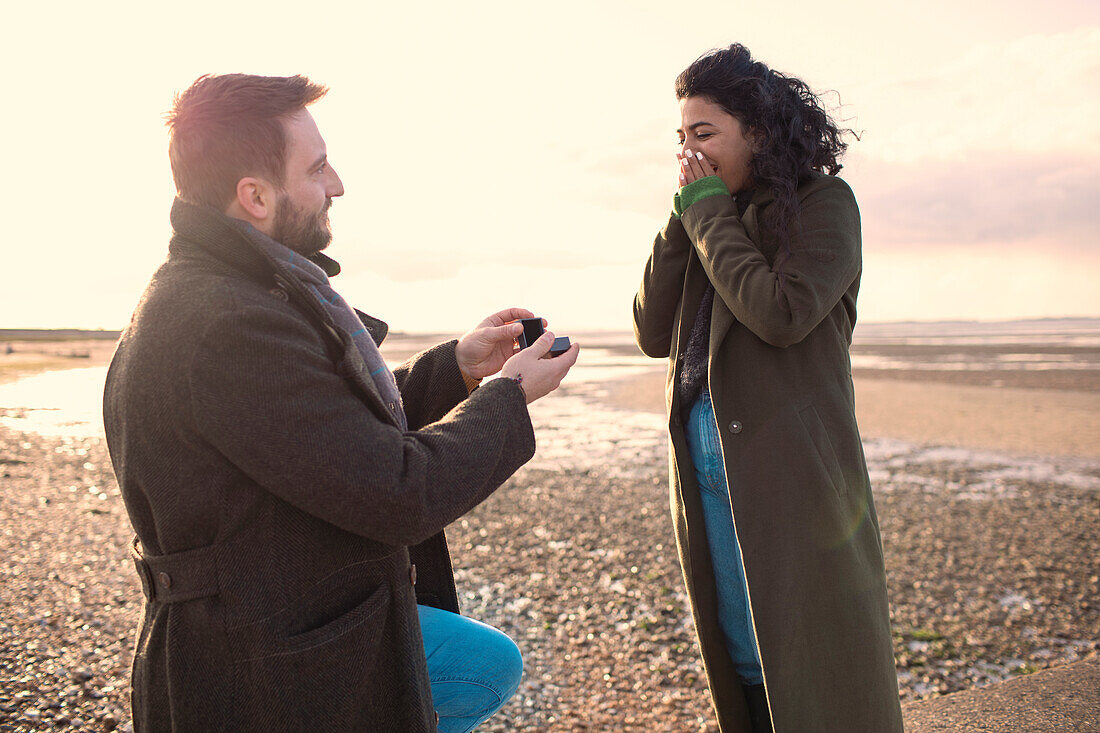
column 988, row 497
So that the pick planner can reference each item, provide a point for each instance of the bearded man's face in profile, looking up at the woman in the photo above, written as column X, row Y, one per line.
column 302, row 210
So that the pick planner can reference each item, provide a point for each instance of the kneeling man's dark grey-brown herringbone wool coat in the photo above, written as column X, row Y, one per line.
column 283, row 517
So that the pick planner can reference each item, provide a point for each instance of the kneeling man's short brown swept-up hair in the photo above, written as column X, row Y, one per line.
column 229, row 127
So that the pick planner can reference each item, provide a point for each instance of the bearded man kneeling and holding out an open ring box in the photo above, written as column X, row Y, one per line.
column 288, row 490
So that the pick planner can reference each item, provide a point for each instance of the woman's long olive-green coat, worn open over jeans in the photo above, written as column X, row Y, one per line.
column 780, row 379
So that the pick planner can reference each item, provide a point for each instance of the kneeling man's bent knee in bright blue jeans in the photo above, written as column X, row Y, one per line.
column 474, row 669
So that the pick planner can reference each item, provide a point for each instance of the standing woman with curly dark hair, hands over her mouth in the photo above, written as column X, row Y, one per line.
column 751, row 292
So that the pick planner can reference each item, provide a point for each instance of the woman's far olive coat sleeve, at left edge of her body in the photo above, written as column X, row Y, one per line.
column 655, row 307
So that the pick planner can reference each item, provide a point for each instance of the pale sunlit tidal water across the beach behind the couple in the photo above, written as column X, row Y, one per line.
column 577, row 429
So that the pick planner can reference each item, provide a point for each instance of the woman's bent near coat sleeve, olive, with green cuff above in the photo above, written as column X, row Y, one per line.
column 782, row 303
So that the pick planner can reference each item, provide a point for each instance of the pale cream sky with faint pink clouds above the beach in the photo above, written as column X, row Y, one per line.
column 513, row 154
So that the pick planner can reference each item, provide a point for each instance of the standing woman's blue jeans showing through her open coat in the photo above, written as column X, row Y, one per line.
column 734, row 615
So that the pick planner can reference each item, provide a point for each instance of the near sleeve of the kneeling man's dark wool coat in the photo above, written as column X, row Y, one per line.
column 266, row 393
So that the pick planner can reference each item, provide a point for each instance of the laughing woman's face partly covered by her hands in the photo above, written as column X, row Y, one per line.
column 707, row 128
